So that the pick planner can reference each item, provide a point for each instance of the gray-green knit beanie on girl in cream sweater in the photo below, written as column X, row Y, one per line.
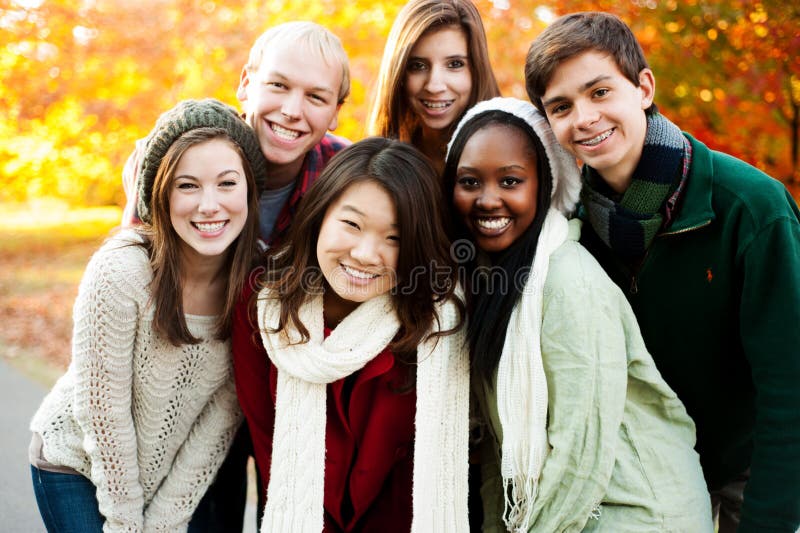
column 186, row 116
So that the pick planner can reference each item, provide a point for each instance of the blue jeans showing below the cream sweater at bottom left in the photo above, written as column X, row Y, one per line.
column 67, row 502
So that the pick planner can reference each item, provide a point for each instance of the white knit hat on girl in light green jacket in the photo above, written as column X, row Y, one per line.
column 566, row 175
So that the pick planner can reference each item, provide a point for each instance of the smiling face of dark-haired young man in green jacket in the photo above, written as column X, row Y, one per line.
column 597, row 114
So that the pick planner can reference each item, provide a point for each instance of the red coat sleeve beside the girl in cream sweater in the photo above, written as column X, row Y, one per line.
column 251, row 368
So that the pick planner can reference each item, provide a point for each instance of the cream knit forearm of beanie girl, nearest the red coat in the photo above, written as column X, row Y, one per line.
column 196, row 463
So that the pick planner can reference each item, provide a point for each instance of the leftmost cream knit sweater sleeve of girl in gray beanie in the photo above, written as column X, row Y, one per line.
column 105, row 322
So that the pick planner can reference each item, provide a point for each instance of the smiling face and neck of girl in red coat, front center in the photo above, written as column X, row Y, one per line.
column 357, row 248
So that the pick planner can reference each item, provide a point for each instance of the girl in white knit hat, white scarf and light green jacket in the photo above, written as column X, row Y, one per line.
column 584, row 435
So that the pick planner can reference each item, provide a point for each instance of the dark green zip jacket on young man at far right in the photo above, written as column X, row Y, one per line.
column 717, row 297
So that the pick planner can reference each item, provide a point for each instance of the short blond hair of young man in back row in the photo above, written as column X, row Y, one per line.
column 314, row 38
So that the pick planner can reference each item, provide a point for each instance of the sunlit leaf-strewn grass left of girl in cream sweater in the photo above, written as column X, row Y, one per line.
column 46, row 246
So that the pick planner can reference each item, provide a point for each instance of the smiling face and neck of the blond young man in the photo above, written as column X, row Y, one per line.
column 291, row 100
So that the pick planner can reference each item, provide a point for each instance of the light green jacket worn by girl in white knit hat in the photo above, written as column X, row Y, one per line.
column 622, row 457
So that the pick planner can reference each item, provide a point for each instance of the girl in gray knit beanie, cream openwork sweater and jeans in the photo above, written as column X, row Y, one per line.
column 130, row 438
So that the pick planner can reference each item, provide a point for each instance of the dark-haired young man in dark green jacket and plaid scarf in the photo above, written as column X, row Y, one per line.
column 707, row 250
